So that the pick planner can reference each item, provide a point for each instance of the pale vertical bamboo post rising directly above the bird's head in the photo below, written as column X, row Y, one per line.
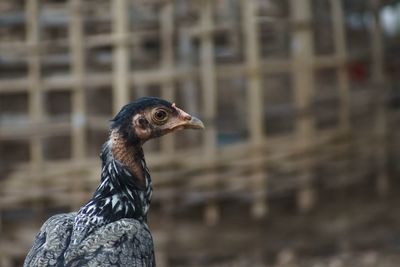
column 120, row 54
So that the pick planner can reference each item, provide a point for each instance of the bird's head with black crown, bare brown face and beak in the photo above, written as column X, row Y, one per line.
column 151, row 117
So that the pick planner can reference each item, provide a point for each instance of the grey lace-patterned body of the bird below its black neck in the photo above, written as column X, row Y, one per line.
column 126, row 242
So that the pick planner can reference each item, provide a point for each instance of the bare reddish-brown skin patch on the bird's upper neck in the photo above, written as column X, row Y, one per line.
column 128, row 155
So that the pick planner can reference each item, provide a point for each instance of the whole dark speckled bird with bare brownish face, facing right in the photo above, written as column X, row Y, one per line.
column 111, row 228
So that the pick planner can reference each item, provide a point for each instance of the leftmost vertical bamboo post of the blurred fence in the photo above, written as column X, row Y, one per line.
column 34, row 77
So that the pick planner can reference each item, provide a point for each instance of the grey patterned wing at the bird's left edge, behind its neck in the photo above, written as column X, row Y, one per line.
column 51, row 241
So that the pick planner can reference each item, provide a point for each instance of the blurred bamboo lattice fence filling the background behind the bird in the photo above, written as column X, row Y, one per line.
column 293, row 100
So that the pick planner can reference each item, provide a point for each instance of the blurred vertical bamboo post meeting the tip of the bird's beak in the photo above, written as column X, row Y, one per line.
column 207, row 76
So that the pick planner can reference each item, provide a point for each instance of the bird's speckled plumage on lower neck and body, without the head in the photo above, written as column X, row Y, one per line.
column 110, row 230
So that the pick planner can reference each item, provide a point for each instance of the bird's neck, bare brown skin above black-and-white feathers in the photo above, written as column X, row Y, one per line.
column 125, row 177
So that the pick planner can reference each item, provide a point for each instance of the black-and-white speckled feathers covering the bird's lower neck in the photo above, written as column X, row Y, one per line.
column 117, row 197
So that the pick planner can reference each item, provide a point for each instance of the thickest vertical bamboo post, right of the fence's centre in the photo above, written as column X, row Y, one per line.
column 303, row 80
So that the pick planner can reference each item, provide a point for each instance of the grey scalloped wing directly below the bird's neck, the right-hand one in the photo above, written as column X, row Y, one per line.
column 126, row 242
